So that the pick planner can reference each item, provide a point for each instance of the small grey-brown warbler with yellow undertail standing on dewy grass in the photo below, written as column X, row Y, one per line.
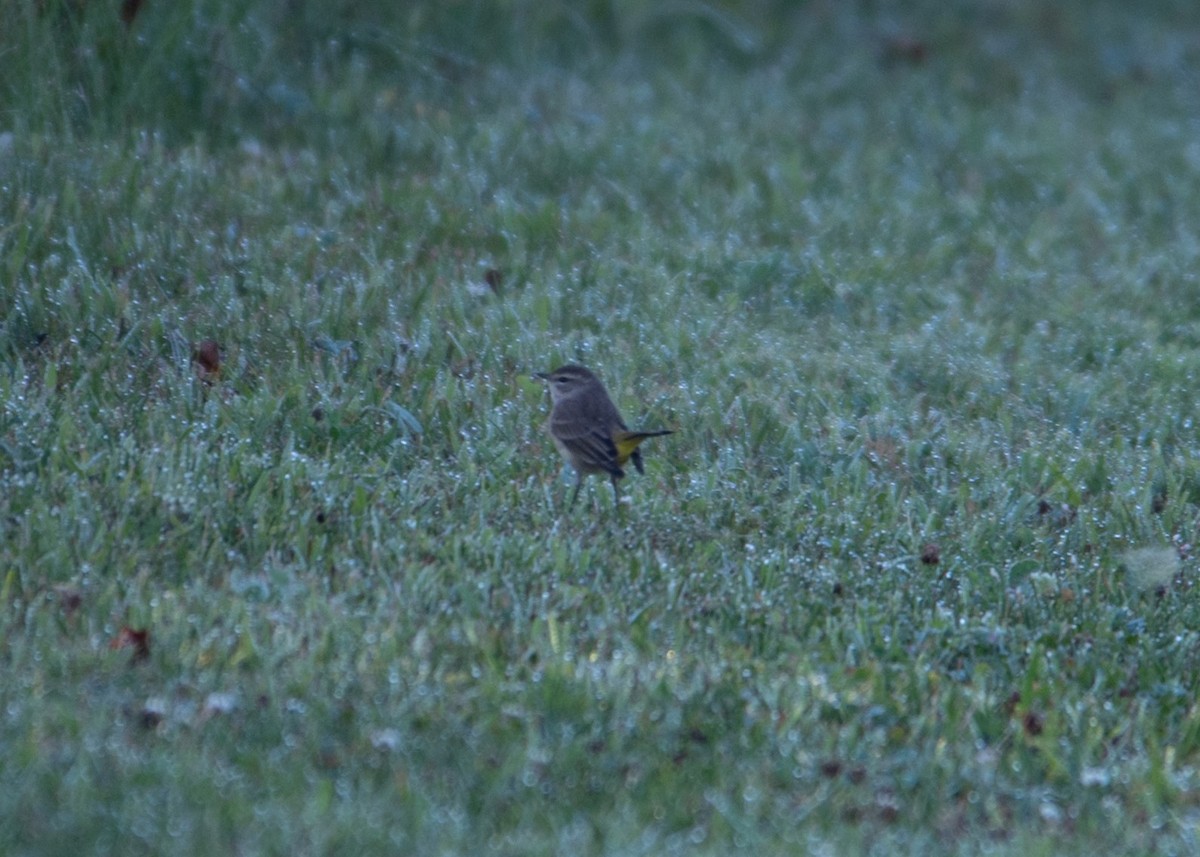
column 589, row 429
